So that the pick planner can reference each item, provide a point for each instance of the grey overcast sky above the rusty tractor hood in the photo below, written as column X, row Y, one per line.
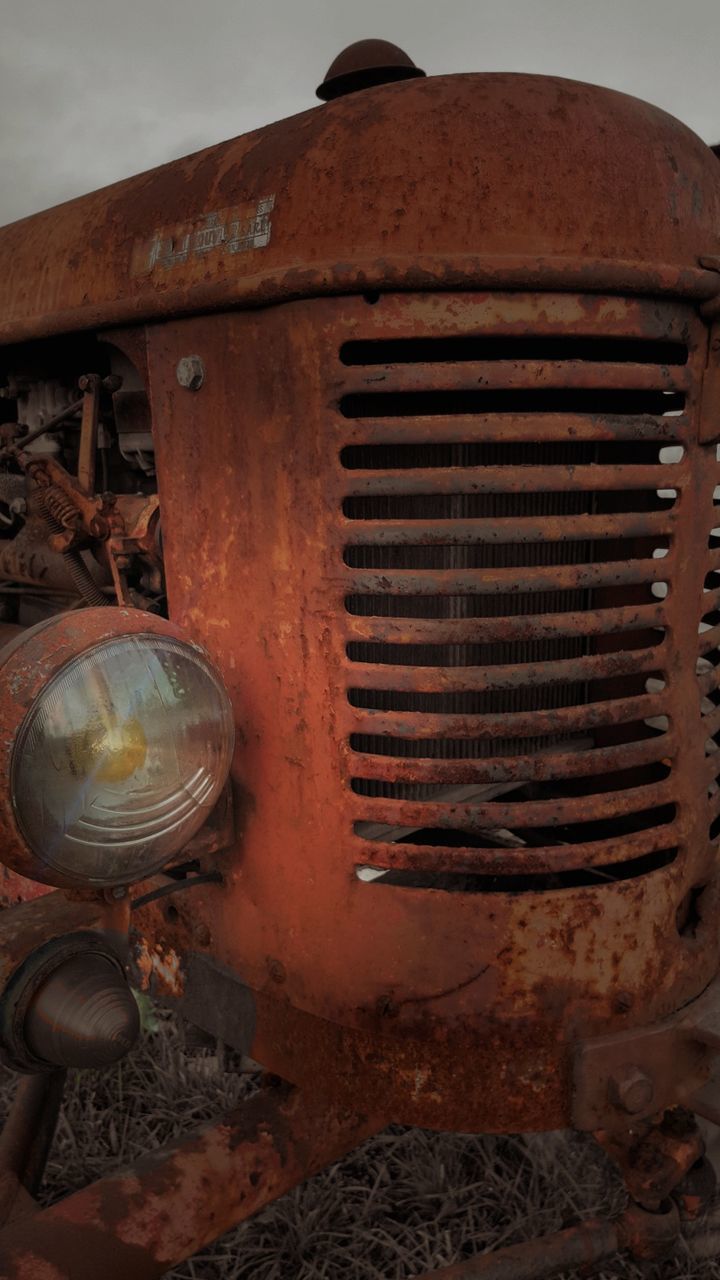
column 97, row 90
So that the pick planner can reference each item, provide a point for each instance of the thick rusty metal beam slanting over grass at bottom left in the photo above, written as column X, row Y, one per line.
column 171, row 1205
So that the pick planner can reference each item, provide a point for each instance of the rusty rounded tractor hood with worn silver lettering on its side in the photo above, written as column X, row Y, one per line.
column 420, row 185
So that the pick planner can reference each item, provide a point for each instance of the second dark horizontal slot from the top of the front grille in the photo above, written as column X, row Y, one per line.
column 543, row 400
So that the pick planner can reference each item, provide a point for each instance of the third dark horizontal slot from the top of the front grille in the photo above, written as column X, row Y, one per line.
column 514, row 454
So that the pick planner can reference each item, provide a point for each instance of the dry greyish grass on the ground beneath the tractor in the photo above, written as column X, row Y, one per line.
column 405, row 1203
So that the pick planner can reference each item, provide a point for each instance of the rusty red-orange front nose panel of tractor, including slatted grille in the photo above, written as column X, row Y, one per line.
column 446, row 616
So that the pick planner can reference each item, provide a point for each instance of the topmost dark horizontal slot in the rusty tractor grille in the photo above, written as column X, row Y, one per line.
column 463, row 348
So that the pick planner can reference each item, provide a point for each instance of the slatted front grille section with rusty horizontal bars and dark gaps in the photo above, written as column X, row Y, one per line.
column 509, row 506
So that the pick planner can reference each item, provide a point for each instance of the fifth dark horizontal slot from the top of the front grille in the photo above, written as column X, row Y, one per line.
column 496, row 555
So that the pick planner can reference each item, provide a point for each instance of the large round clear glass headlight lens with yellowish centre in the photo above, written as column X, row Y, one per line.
column 121, row 758
